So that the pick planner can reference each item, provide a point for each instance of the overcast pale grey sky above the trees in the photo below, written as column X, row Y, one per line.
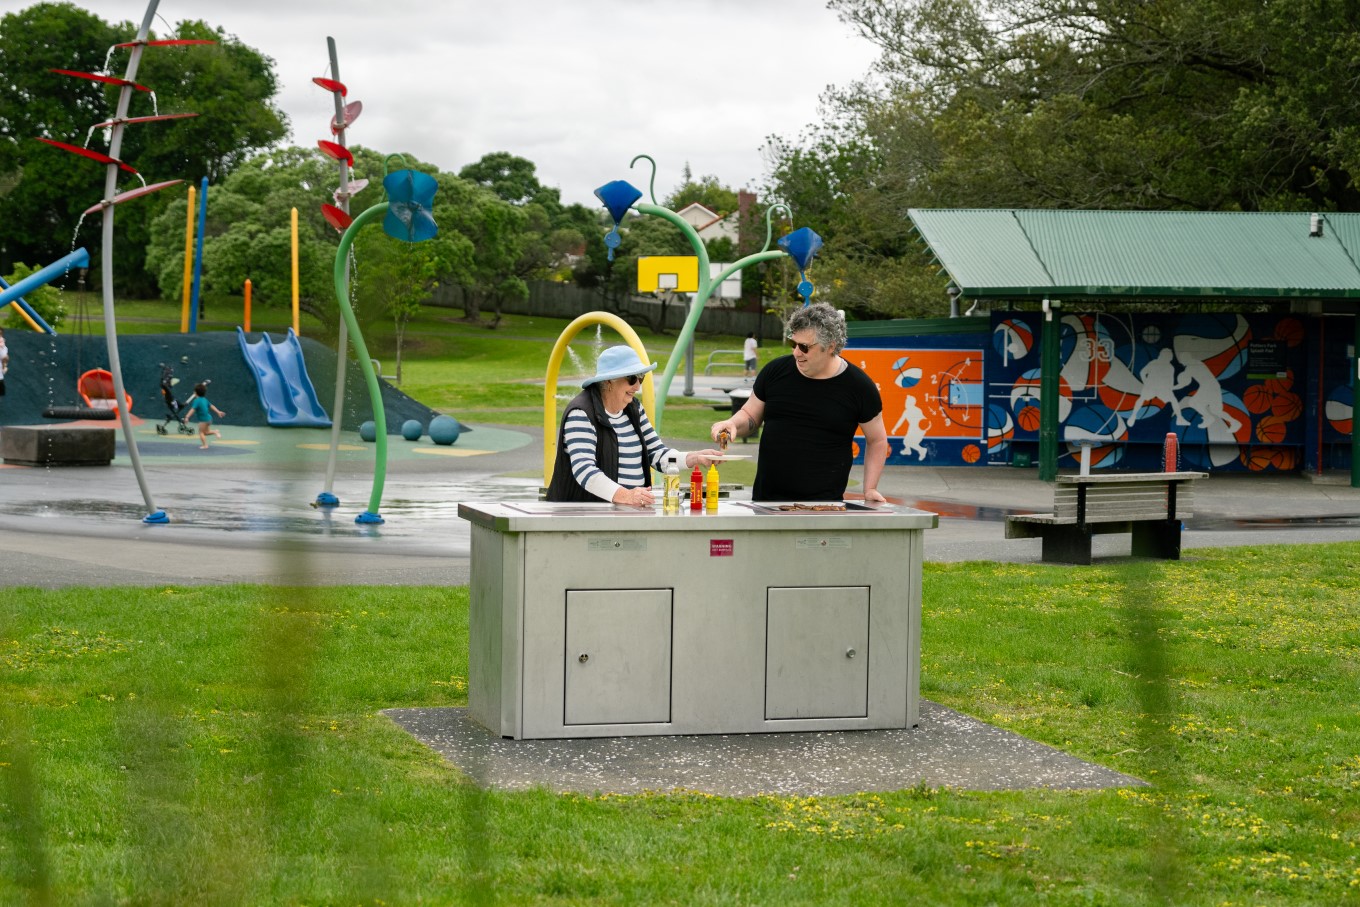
column 576, row 86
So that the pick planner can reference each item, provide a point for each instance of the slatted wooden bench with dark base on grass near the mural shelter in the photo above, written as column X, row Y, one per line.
column 1149, row 505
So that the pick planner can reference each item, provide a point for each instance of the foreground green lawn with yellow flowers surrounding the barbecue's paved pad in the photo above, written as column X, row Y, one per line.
column 224, row 746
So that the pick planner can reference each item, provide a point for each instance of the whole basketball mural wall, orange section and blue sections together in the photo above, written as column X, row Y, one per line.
column 1233, row 390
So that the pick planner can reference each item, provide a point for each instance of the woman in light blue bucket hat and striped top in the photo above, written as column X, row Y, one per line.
column 607, row 447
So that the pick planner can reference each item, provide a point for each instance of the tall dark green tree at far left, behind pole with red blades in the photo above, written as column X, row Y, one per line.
column 43, row 190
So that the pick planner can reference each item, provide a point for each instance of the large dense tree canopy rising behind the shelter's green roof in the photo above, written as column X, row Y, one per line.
column 1113, row 104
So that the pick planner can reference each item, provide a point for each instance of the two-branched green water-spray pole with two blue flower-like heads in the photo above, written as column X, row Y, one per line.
column 802, row 245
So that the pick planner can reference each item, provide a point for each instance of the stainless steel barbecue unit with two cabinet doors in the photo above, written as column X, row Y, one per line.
column 594, row 621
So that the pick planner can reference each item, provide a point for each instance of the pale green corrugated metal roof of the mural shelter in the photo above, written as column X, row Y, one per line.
column 1017, row 254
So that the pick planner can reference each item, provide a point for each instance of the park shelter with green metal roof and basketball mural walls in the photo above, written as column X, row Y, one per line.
column 1244, row 345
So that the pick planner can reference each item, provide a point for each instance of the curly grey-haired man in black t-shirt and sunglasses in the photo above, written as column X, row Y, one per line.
column 811, row 405
